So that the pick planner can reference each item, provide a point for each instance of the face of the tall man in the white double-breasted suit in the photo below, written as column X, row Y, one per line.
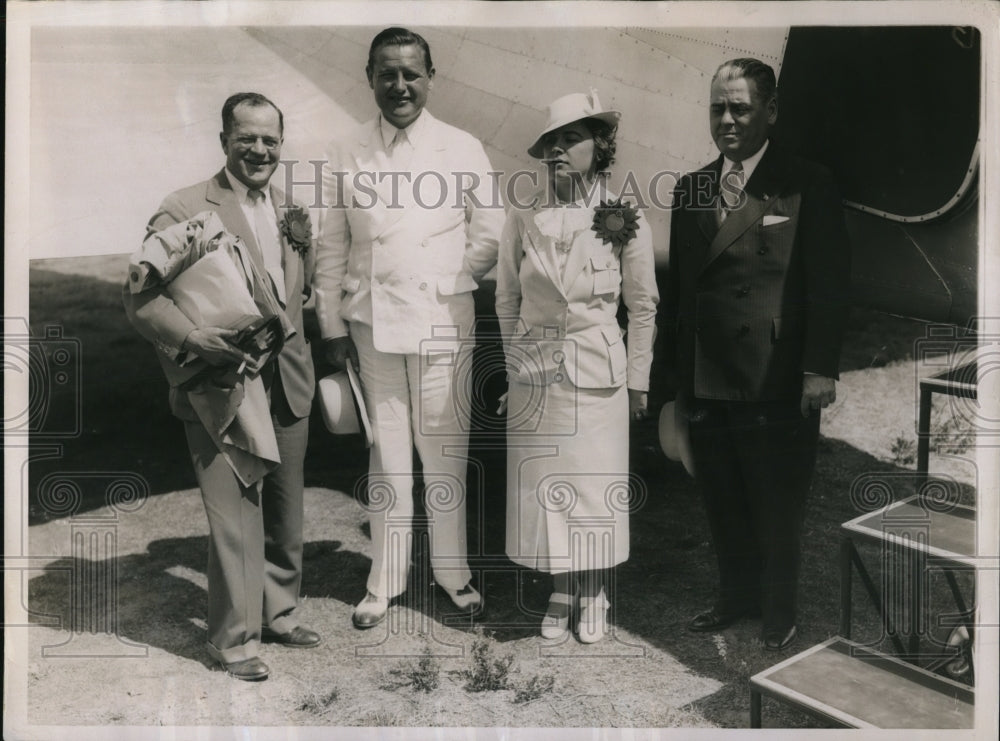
column 400, row 79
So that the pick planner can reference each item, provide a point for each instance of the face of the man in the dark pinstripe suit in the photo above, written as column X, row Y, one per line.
column 739, row 120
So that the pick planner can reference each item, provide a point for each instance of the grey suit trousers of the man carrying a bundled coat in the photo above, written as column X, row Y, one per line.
column 255, row 540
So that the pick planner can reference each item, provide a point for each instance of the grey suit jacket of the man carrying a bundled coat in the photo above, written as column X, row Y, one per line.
column 157, row 318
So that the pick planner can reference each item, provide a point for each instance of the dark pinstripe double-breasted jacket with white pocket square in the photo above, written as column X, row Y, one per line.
column 753, row 303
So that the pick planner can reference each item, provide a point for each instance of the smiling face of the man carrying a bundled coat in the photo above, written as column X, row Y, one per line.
column 253, row 144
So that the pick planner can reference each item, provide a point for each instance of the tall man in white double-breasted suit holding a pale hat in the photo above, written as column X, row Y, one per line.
column 410, row 227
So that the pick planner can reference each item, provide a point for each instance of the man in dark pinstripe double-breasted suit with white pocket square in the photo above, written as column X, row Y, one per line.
column 752, row 322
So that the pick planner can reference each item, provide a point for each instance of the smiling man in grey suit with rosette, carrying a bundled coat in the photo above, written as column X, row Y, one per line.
column 255, row 544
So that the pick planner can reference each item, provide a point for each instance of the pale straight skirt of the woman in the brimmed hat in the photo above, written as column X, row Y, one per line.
column 567, row 477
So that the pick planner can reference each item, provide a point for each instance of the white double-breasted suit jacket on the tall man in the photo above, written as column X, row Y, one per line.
column 402, row 258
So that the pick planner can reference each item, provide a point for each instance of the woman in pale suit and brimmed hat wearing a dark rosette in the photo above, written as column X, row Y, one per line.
column 565, row 265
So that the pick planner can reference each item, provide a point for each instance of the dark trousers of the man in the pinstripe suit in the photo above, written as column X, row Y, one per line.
column 753, row 464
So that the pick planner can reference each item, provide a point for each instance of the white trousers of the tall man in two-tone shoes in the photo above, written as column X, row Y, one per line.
column 419, row 400
